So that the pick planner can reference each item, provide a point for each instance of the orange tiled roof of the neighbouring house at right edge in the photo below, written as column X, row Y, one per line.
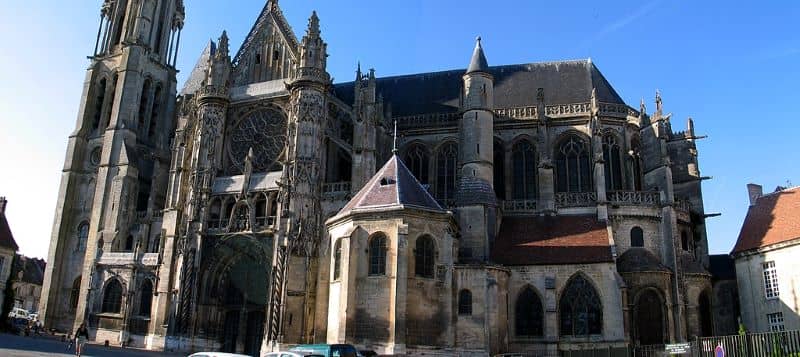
column 775, row 218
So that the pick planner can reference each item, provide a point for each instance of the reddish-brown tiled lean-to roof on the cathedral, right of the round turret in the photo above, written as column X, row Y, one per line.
column 552, row 240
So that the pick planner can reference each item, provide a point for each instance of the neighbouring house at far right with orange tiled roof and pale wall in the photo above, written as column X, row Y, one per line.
column 767, row 264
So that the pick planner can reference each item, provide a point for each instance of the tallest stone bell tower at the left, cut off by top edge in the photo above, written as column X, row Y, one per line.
column 115, row 172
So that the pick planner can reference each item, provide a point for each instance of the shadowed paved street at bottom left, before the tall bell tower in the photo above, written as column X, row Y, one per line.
column 16, row 346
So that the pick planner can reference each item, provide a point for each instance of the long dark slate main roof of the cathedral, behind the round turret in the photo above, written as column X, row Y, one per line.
column 564, row 82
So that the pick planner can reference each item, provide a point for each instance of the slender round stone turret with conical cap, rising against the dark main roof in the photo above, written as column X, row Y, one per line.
column 475, row 197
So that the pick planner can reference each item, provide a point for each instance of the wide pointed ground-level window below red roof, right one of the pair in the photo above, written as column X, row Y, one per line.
column 581, row 309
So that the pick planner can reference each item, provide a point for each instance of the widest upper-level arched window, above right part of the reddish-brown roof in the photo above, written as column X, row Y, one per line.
column 573, row 166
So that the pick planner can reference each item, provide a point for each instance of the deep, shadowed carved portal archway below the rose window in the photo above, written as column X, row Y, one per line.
column 235, row 291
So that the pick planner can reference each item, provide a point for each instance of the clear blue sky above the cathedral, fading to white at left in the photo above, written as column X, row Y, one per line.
column 732, row 66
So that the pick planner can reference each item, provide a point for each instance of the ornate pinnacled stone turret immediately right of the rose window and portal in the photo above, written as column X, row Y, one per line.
column 296, row 254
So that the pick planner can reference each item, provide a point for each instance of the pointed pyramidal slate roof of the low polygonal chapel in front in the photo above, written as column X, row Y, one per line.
column 392, row 186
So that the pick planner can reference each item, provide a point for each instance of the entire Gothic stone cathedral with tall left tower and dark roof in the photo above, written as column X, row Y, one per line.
column 515, row 208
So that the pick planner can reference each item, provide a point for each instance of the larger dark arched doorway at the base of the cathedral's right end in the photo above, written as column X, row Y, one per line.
column 649, row 317
